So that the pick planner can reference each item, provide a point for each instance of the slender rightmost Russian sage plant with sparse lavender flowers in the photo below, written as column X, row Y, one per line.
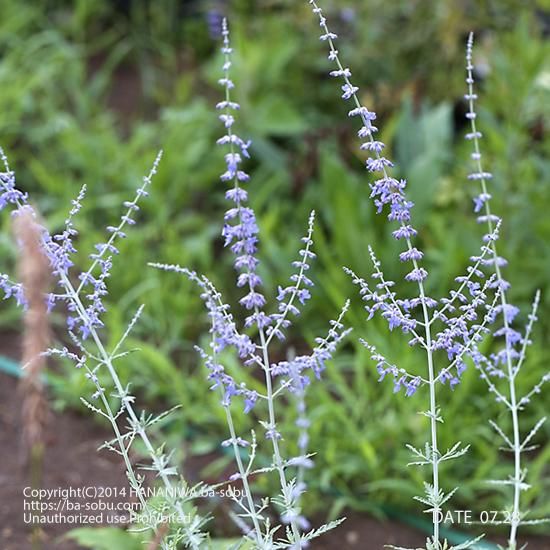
column 501, row 369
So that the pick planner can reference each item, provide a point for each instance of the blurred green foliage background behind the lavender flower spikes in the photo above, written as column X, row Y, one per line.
column 90, row 91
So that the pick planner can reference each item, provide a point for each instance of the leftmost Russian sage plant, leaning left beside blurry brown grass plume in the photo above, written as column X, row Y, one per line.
column 84, row 298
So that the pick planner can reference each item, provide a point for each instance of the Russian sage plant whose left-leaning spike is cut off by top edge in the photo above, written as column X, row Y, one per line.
column 446, row 330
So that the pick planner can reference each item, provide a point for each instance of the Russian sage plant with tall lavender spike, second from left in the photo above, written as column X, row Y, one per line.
column 252, row 344
